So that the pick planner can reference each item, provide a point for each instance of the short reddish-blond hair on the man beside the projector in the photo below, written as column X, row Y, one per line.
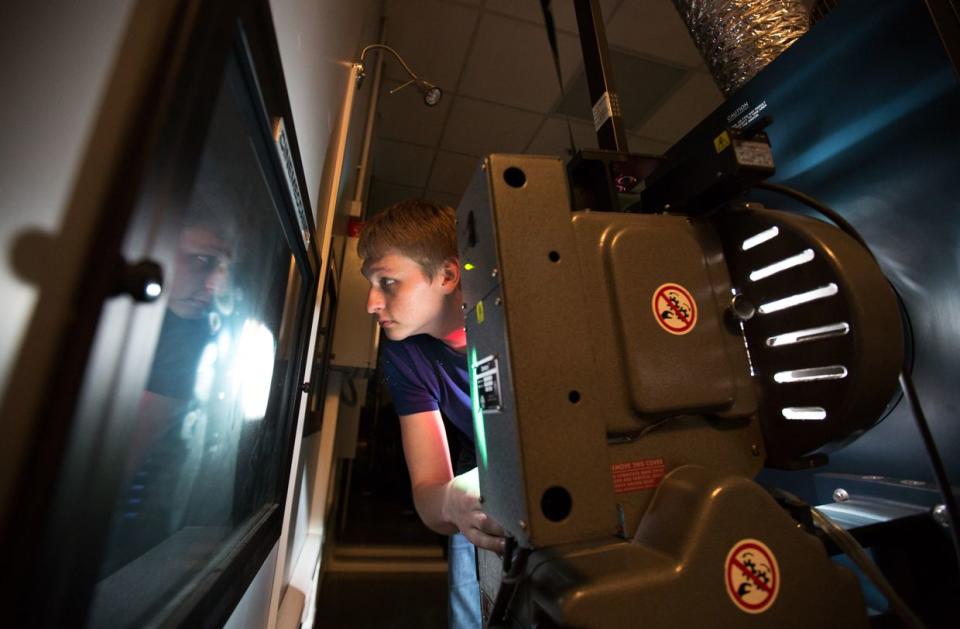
column 424, row 231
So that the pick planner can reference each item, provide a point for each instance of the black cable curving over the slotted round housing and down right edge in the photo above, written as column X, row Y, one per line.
column 906, row 381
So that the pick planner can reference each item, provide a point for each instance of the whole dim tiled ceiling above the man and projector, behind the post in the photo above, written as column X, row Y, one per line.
column 493, row 61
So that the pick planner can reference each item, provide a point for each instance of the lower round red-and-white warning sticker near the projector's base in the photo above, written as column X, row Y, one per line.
column 752, row 576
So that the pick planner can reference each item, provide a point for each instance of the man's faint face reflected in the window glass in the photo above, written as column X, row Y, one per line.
column 203, row 260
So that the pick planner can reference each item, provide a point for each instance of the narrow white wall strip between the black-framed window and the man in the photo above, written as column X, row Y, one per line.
column 319, row 42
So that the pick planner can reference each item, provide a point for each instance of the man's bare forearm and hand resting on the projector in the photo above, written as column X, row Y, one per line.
column 446, row 503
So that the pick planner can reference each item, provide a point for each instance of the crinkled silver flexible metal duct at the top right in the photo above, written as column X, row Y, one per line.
column 737, row 38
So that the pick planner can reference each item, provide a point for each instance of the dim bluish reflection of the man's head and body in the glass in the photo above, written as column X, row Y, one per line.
column 167, row 450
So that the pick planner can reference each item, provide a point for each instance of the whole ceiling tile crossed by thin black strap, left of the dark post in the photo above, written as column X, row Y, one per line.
column 511, row 63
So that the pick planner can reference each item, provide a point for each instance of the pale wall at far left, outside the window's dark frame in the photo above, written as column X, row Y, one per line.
column 56, row 63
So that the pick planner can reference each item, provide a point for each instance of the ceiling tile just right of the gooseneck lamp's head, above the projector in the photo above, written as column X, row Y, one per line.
column 478, row 128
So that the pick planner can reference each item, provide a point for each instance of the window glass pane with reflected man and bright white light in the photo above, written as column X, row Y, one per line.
column 201, row 465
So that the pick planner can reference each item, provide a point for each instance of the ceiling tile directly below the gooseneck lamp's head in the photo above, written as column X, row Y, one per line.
column 404, row 116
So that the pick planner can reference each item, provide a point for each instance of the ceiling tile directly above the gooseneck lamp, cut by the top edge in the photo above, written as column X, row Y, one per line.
column 431, row 36
